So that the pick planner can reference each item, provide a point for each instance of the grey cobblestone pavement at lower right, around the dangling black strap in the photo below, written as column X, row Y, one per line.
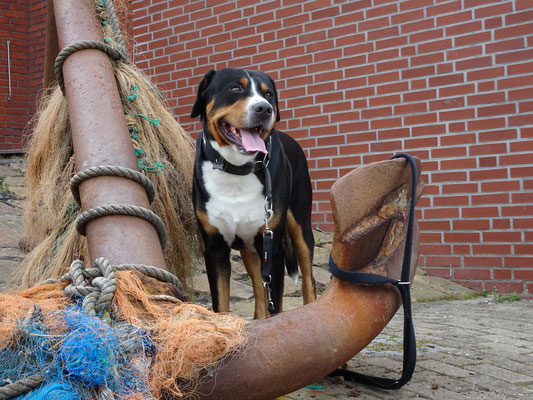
column 468, row 349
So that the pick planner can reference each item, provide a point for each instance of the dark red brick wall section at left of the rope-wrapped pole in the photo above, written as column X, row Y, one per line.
column 22, row 23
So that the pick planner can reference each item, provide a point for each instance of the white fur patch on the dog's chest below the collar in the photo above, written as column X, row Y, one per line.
column 236, row 204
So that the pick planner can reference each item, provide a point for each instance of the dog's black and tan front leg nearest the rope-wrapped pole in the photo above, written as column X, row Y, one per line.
column 218, row 268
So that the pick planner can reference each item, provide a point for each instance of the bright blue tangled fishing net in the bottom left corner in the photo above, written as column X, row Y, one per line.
column 77, row 354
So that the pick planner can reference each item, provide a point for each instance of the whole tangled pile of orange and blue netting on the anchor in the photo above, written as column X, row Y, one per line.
column 151, row 349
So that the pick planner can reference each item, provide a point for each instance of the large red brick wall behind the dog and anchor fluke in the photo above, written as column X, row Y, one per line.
column 448, row 81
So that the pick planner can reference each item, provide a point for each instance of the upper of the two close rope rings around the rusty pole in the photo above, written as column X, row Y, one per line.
column 111, row 170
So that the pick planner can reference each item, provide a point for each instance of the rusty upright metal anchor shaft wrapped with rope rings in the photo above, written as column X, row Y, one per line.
column 100, row 137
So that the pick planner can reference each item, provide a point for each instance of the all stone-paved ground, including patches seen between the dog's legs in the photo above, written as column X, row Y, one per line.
column 469, row 347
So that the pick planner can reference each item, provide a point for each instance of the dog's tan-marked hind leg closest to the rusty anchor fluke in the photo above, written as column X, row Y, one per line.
column 303, row 241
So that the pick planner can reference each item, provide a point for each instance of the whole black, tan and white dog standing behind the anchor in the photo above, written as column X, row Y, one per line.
column 251, row 190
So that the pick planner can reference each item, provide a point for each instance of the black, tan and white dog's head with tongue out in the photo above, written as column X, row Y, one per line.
column 238, row 108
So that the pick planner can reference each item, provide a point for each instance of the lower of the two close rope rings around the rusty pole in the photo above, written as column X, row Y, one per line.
column 123, row 209
